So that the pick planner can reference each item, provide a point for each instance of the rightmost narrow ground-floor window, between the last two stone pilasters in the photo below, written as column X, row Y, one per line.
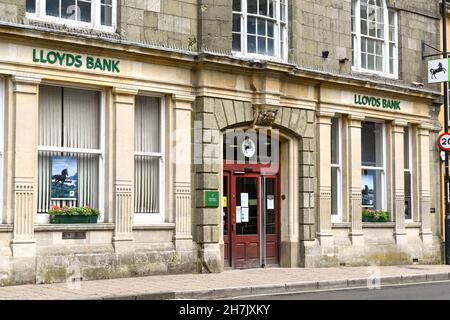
column 407, row 145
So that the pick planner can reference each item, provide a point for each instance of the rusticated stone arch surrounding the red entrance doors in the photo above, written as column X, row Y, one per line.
column 297, row 126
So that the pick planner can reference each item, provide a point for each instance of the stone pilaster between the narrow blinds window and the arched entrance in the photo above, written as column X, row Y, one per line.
column 181, row 157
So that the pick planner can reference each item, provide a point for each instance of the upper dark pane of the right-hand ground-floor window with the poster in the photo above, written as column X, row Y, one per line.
column 372, row 144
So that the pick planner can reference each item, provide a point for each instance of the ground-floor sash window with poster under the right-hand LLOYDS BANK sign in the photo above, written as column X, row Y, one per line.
column 373, row 165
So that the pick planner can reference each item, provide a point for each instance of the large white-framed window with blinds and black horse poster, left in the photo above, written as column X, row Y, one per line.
column 70, row 129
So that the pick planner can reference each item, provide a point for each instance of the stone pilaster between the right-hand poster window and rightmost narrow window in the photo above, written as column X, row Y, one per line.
column 399, row 181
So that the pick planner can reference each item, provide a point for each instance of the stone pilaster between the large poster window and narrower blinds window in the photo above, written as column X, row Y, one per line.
column 123, row 149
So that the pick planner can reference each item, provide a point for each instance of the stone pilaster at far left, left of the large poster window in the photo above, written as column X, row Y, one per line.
column 26, row 106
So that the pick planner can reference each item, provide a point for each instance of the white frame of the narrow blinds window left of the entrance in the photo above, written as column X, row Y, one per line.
column 158, row 217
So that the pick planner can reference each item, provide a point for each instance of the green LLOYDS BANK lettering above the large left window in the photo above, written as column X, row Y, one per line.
column 77, row 61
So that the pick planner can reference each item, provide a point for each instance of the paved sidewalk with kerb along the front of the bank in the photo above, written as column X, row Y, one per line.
column 230, row 284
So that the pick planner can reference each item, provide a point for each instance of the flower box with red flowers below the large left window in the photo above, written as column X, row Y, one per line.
column 66, row 214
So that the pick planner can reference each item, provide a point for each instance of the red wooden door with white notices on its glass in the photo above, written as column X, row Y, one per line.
column 245, row 222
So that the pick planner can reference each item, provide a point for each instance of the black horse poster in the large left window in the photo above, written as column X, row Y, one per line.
column 64, row 178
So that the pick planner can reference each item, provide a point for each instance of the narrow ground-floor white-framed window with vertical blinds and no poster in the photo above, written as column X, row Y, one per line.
column 149, row 160
